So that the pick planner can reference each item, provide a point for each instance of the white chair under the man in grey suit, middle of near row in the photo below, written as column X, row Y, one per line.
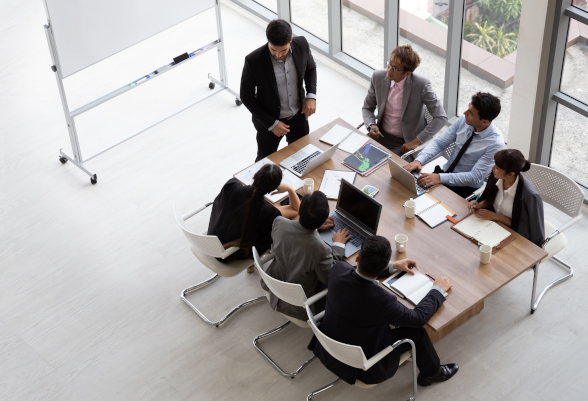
column 291, row 293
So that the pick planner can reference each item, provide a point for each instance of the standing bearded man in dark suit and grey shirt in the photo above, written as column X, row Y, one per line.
column 279, row 106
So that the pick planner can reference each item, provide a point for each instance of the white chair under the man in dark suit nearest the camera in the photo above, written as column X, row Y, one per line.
column 353, row 355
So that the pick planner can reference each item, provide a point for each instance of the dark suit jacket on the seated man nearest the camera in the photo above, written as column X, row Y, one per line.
column 359, row 312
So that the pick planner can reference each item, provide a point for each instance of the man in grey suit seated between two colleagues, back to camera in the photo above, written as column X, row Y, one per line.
column 302, row 257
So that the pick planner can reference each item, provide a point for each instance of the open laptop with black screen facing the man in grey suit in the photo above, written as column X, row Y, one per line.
column 357, row 212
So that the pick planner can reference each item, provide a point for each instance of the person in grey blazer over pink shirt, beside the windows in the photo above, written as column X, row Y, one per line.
column 401, row 97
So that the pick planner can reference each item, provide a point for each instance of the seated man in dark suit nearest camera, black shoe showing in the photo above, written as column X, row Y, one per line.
column 360, row 311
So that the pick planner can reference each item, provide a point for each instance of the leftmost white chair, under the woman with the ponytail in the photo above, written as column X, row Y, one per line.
column 207, row 248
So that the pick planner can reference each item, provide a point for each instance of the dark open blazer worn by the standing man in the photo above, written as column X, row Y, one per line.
column 258, row 72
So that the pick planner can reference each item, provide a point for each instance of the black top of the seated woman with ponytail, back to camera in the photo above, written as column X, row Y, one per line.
column 227, row 218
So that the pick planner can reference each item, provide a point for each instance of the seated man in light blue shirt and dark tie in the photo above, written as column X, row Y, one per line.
column 476, row 139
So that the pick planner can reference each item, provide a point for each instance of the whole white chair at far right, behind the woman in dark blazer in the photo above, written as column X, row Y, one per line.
column 563, row 193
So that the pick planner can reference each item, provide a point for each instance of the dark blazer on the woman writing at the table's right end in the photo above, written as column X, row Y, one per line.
column 527, row 209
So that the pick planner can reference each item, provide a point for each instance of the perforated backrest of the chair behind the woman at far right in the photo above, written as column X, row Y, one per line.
column 557, row 189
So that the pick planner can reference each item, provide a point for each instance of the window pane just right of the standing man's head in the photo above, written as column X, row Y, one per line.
column 312, row 16
